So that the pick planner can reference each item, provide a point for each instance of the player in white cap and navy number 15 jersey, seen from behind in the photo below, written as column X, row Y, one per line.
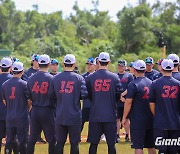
column 68, row 87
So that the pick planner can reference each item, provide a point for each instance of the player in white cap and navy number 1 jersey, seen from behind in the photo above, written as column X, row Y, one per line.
column 14, row 97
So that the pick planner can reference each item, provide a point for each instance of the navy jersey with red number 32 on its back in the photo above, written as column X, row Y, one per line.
column 165, row 93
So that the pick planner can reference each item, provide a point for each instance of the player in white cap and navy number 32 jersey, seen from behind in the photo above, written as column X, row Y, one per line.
column 165, row 106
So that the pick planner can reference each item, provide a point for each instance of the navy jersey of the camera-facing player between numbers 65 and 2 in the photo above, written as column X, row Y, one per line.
column 125, row 79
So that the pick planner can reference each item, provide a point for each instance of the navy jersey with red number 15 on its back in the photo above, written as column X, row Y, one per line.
column 68, row 88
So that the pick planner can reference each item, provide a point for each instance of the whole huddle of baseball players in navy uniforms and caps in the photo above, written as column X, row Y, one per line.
column 103, row 90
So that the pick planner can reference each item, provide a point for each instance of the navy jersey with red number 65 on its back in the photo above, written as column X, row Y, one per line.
column 104, row 90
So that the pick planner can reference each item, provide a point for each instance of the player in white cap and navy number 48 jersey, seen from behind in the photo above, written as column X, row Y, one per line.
column 42, row 115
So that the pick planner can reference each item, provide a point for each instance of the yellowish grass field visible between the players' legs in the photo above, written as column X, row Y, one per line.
column 121, row 148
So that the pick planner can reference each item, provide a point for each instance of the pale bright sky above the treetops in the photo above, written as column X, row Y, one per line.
column 48, row 6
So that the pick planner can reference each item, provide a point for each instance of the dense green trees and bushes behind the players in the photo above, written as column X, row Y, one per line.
column 139, row 32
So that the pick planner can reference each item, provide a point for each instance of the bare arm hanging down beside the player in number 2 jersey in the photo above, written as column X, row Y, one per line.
column 127, row 108
